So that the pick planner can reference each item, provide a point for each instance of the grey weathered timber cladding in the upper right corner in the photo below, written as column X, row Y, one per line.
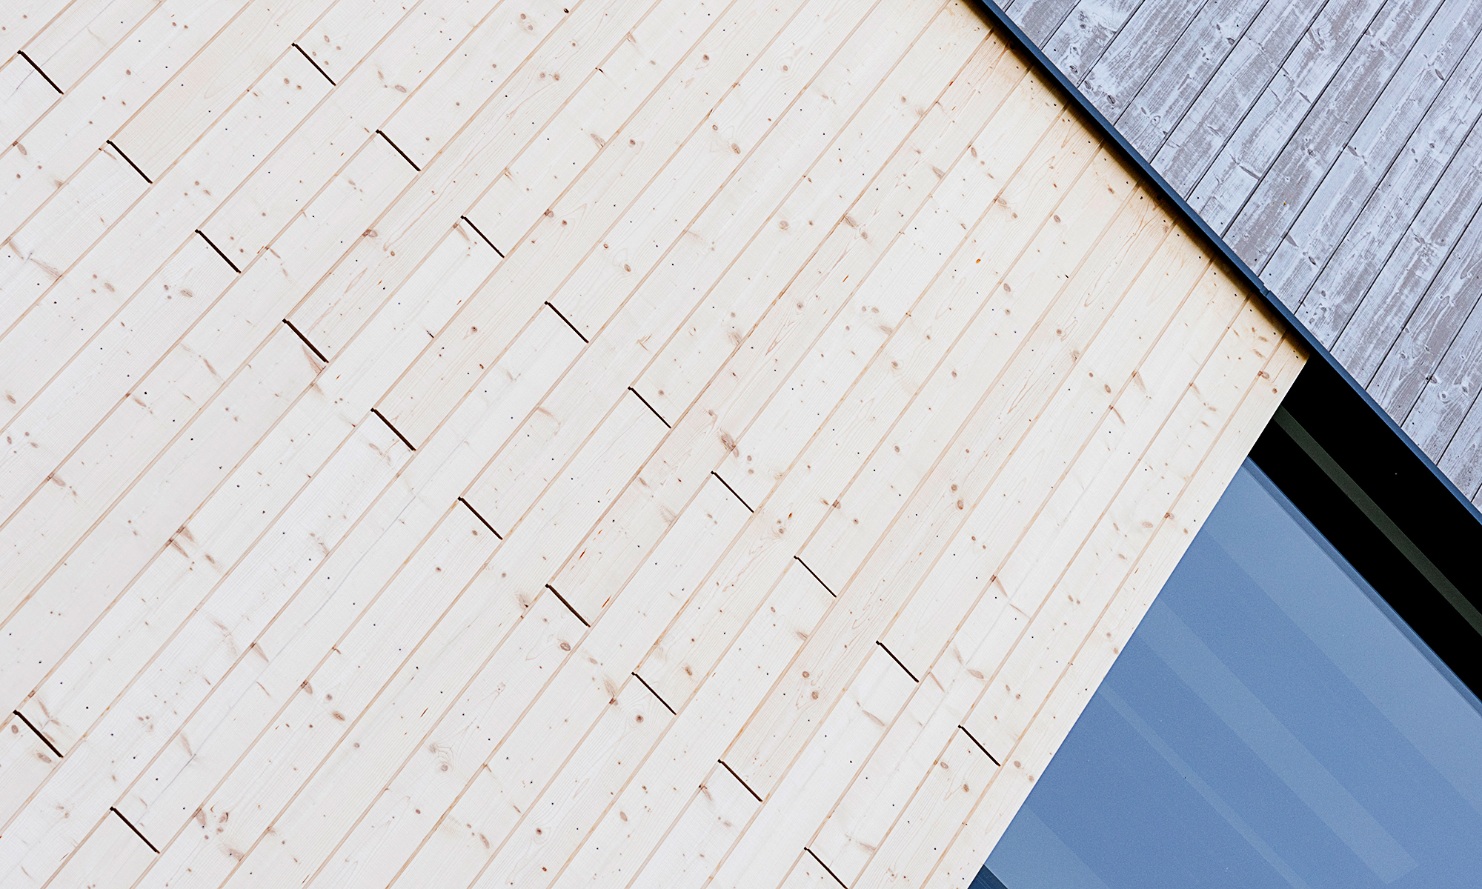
column 1336, row 147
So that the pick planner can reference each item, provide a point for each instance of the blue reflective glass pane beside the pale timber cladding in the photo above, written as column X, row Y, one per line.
column 1272, row 724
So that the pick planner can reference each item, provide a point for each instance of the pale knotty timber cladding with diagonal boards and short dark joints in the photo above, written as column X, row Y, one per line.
column 634, row 442
